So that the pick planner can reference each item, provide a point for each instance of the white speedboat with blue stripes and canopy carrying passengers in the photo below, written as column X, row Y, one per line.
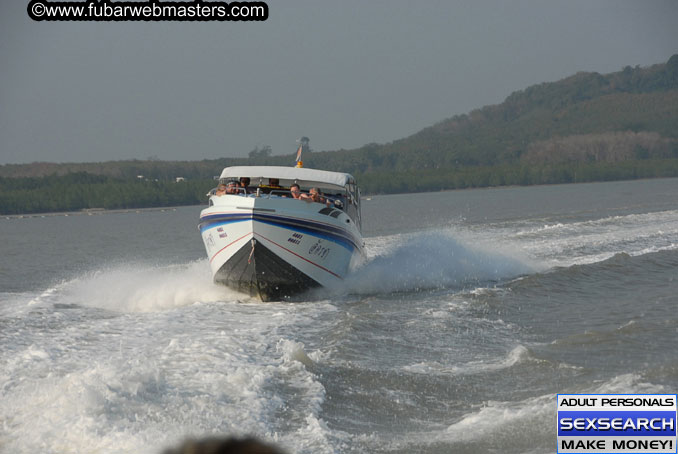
column 264, row 240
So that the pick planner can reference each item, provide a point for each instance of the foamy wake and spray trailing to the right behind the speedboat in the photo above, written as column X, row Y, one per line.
column 458, row 257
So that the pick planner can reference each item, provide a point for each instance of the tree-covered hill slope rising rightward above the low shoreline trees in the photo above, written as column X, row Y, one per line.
column 634, row 99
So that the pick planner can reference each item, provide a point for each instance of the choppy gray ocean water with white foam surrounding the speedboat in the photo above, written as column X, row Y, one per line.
column 472, row 311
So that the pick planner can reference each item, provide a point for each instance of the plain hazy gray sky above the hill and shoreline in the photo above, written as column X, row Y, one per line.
column 343, row 73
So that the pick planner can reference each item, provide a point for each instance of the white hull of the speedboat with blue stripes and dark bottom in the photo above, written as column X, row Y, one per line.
column 276, row 248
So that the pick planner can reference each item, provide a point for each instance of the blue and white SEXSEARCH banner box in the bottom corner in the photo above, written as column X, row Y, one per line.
column 615, row 423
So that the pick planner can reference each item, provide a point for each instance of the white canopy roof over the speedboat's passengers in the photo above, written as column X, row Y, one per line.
column 288, row 175
